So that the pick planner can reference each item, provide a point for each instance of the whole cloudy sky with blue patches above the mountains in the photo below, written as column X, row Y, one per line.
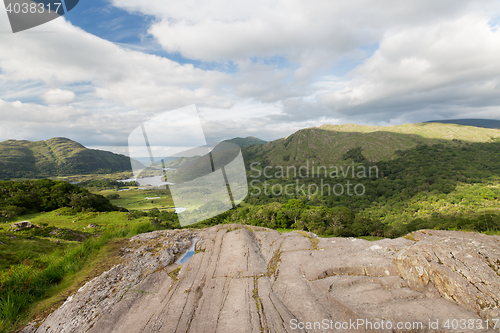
column 252, row 68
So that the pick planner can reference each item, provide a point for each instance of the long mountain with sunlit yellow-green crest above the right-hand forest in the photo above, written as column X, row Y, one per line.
column 331, row 144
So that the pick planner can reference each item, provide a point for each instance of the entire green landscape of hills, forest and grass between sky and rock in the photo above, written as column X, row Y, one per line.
column 416, row 176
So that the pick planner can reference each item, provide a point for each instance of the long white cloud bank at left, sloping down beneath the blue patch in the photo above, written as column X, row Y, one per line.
column 130, row 78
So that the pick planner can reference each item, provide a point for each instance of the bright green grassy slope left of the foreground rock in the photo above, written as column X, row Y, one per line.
column 41, row 267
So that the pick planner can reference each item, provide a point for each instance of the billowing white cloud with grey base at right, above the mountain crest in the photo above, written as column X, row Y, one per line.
column 447, row 65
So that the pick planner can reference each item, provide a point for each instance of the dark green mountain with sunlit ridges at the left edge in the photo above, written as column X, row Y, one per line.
column 56, row 157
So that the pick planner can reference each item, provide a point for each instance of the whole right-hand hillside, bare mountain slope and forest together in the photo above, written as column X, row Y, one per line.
column 417, row 176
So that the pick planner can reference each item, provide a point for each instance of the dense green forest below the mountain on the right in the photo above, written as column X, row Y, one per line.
column 432, row 186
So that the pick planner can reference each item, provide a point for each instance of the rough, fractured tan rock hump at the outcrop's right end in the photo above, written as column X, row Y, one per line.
column 462, row 267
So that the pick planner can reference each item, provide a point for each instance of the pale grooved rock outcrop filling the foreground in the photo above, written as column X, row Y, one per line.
column 249, row 279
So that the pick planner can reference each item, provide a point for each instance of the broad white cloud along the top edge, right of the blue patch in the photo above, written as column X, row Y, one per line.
column 215, row 30
